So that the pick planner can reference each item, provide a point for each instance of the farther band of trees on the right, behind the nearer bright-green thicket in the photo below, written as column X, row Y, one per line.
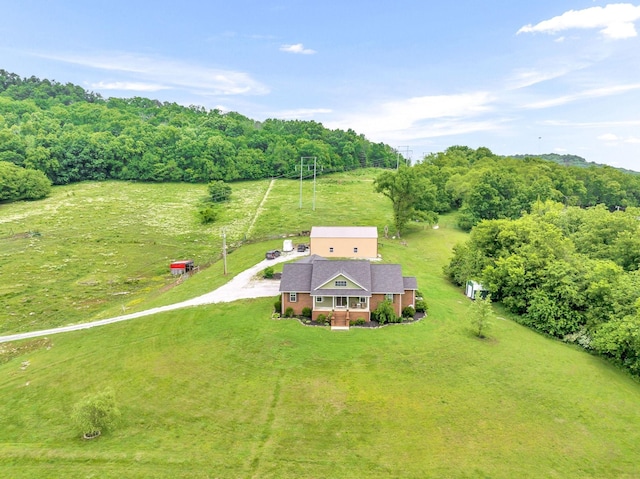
column 482, row 185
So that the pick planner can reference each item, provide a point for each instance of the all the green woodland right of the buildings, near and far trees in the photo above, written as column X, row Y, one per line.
column 557, row 245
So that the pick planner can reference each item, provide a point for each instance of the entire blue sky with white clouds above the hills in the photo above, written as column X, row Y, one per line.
column 515, row 76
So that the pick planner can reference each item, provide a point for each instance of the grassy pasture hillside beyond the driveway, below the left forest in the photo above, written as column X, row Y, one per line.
column 94, row 250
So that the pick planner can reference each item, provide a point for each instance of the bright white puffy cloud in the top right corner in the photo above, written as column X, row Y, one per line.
column 615, row 21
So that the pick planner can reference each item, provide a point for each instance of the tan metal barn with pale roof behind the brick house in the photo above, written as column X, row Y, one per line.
column 344, row 241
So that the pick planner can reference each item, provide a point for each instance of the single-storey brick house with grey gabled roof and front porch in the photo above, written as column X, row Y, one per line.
column 345, row 289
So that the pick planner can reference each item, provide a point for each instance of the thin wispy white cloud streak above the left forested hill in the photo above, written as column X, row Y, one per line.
column 168, row 73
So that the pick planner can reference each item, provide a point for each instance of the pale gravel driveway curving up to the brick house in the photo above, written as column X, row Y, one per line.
column 243, row 286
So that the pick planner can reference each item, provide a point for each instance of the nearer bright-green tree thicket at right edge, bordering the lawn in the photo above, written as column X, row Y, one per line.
column 570, row 272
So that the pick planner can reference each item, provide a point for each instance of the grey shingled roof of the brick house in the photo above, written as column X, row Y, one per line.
column 309, row 275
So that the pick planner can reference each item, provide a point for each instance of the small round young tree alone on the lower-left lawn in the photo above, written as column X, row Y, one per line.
column 95, row 413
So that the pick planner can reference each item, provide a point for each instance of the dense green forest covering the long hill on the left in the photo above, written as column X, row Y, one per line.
column 73, row 135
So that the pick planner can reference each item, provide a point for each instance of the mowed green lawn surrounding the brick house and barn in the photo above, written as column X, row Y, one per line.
column 225, row 391
